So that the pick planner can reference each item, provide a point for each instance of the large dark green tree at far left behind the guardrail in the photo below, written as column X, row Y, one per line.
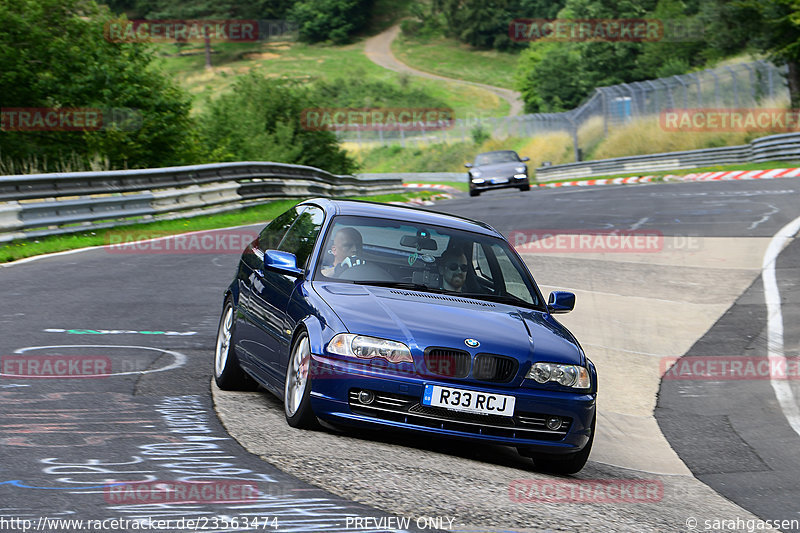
column 76, row 67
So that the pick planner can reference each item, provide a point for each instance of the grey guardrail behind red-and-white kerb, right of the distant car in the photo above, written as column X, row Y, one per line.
column 775, row 147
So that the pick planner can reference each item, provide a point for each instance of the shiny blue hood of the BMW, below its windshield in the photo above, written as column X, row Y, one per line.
column 423, row 320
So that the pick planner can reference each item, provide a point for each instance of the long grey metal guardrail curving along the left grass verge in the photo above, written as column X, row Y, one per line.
column 48, row 204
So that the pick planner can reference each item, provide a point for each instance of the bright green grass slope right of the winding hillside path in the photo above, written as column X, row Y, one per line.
column 450, row 58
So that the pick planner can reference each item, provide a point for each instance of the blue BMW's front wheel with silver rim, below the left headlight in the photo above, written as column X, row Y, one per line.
column 297, row 387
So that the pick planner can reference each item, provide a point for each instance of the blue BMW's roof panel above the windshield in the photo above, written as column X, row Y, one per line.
column 404, row 213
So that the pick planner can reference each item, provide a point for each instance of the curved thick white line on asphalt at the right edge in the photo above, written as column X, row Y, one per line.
column 772, row 296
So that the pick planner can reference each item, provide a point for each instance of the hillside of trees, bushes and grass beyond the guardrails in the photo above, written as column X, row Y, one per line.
column 186, row 102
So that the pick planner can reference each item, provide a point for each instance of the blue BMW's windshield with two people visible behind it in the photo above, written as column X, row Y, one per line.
column 392, row 253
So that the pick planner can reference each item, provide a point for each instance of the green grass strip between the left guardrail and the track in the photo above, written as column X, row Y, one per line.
column 260, row 214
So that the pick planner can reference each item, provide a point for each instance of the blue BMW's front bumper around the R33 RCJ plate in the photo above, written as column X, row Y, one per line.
column 397, row 405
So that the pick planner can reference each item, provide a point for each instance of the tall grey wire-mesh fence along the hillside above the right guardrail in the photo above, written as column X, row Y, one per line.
column 754, row 84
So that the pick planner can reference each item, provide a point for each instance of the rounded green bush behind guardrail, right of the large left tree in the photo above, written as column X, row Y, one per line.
column 260, row 120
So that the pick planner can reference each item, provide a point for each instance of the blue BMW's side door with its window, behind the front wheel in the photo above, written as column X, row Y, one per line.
column 271, row 291
